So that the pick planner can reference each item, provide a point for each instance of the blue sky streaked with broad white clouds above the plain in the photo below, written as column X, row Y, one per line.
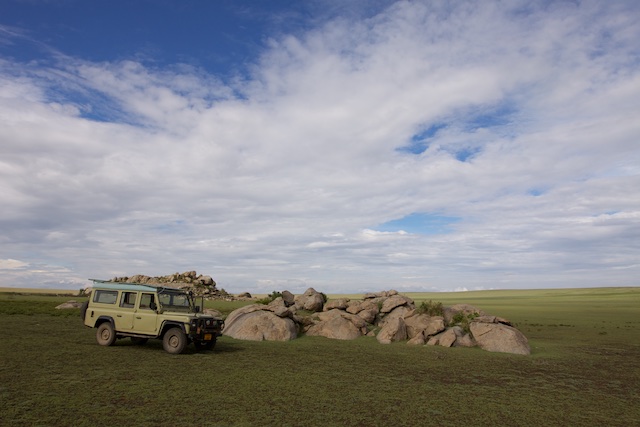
column 346, row 146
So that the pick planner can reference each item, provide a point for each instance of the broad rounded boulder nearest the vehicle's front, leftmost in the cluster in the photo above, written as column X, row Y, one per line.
column 258, row 323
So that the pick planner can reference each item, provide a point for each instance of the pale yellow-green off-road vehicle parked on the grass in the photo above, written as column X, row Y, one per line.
column 141, row 312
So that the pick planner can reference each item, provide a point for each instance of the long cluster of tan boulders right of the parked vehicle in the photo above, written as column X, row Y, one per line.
column 387, row 315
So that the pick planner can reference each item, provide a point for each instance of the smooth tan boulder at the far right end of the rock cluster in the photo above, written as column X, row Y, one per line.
column 499, row 338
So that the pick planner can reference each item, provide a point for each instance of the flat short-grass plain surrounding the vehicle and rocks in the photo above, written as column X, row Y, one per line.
column 584, row 370
